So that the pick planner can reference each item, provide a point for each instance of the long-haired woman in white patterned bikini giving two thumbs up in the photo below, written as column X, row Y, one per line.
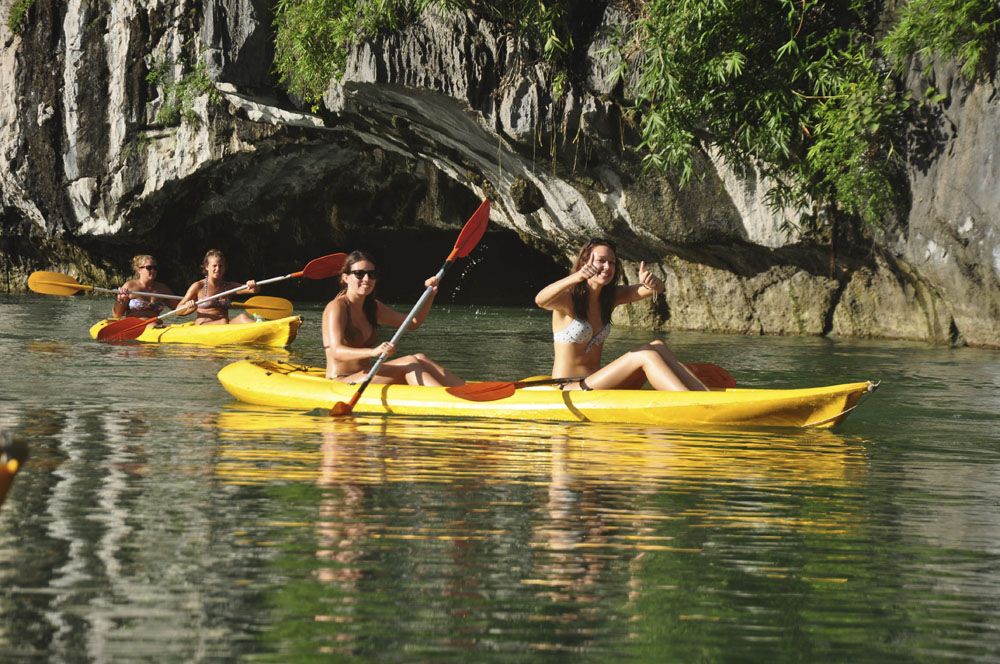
column 581, row 306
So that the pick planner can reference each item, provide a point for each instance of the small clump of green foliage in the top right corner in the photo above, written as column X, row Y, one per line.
column 967, row 30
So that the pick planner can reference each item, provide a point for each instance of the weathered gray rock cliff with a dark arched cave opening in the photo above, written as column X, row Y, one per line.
column 424, row 123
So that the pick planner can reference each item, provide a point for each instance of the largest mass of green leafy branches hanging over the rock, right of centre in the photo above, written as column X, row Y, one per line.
column 788, row 88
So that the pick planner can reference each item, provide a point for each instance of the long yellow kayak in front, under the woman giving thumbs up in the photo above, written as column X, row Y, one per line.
column 285, row 385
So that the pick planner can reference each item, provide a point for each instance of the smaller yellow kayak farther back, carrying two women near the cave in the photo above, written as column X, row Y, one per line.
column 279, row 332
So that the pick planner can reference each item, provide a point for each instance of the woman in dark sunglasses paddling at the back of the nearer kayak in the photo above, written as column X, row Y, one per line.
column 350, row 332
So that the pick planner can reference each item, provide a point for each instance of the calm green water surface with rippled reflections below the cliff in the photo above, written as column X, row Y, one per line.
column 159, row 520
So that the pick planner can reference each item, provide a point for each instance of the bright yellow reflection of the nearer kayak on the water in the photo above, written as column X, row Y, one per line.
column 427, row 450
